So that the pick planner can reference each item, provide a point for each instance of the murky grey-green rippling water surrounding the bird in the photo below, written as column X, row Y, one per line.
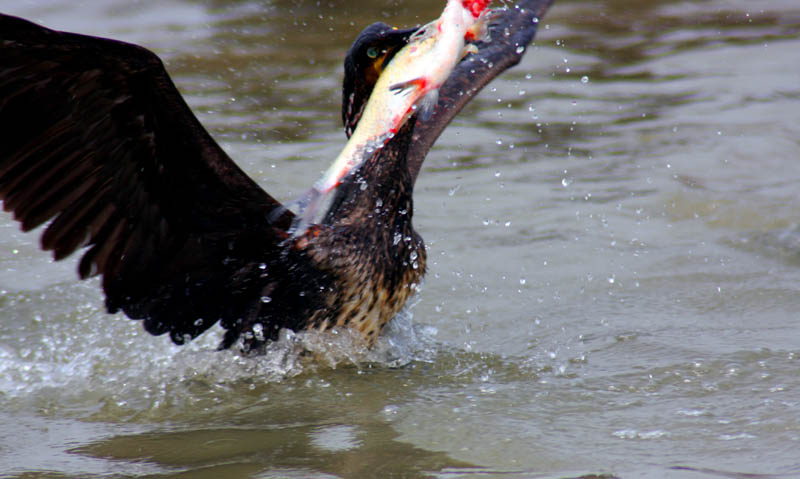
column 614, row 282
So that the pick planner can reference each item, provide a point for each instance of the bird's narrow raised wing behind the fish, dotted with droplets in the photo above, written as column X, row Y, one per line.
column 510, row 33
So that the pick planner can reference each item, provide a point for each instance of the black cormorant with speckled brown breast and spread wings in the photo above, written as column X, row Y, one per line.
column 96, row 137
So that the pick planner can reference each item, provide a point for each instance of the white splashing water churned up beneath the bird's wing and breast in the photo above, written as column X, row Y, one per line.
column 85, row 362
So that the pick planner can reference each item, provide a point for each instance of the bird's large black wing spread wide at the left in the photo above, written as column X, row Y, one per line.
column 95, row 136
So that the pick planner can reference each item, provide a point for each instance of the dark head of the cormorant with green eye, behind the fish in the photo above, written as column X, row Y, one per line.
column 367, row 57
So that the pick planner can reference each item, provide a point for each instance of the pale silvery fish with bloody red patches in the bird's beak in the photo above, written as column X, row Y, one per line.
column 410, row 83
